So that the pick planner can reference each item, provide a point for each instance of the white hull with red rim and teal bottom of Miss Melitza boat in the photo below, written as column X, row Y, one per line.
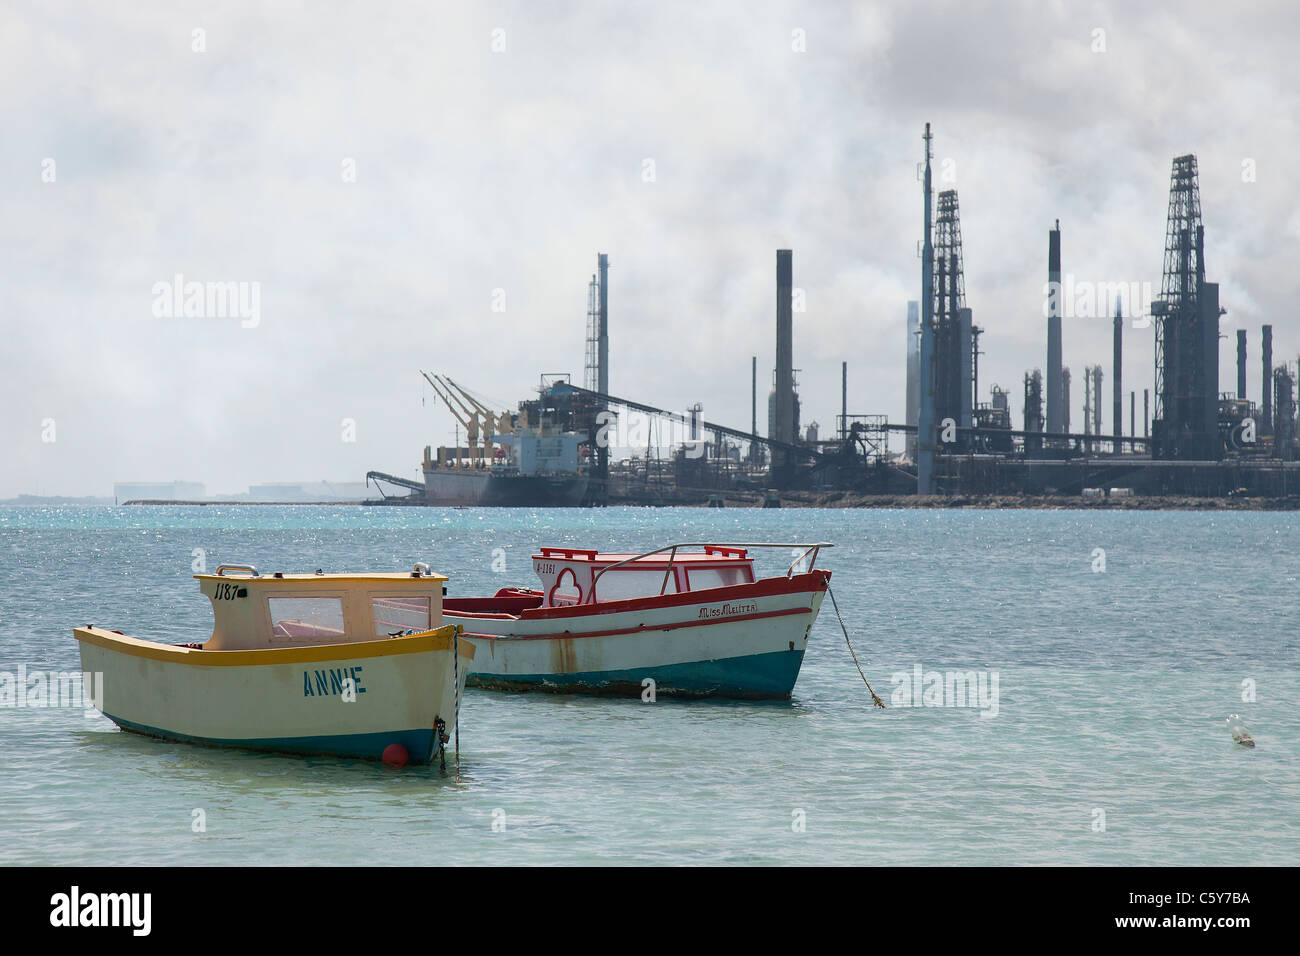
column 744, row 642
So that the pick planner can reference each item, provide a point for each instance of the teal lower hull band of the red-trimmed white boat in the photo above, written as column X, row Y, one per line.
column 757, row 677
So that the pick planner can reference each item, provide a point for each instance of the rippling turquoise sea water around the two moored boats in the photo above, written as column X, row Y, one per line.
column 1113, row 691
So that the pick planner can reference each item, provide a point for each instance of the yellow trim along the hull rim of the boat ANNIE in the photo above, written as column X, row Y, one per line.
column 439, row 639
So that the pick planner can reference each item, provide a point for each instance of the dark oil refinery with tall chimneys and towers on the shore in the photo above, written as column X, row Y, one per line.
column 573, row 445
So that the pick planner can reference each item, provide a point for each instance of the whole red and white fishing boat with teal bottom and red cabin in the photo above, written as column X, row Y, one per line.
column 686, row 620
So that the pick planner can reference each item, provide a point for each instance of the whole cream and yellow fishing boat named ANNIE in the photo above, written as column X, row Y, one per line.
column 353, row 665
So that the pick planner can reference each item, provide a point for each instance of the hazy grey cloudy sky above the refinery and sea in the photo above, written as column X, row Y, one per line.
column 405, row 187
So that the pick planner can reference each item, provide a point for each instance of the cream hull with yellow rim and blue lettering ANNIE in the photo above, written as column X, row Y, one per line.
column 287, row 700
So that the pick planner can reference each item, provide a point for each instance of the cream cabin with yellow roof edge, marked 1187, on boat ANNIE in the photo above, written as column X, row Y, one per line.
column 283, row 611
